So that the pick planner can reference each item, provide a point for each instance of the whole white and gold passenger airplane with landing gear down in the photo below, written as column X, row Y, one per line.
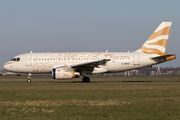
column 72, row 65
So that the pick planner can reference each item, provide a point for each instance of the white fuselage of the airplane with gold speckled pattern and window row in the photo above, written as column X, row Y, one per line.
column 45, row 62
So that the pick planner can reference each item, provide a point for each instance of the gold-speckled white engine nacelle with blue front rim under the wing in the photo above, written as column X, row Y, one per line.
column 64, row 73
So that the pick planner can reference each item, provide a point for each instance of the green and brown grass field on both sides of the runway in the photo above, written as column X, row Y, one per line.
column 90, row 101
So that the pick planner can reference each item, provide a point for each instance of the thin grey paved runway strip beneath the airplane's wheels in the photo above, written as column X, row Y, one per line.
column 92, row 83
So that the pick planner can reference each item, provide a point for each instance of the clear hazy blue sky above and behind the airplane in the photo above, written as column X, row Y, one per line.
column 84, row 25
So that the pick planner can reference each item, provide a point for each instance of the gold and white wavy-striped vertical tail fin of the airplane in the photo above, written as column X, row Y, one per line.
column 156, row 44
